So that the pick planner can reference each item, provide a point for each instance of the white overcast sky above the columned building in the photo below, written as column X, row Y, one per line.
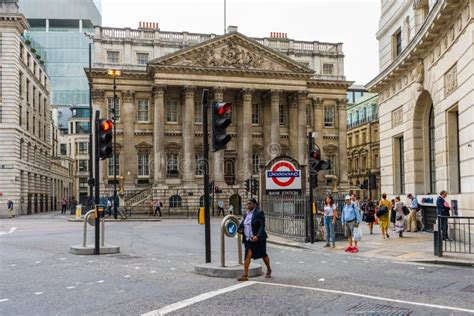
column 352, row 22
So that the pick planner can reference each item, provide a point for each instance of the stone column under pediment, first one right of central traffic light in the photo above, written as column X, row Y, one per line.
column 245, row 154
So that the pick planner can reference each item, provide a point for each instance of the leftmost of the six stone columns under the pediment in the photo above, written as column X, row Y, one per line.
column 159, row 134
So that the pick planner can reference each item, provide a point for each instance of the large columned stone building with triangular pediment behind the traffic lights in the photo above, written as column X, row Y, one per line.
column 280, row 90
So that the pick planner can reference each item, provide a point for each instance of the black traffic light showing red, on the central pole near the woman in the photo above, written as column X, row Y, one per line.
column 220, row 122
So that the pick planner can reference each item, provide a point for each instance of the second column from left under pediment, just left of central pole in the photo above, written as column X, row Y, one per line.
column 188, row 134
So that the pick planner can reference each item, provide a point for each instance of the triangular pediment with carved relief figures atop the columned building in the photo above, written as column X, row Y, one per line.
column 232, row 51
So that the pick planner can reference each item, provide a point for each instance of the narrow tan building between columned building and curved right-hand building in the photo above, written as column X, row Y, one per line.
column 363, row 148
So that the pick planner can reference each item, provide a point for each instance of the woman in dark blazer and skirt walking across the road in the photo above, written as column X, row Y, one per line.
column 254, row 239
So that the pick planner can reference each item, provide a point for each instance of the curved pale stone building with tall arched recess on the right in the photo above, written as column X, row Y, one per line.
column 426, row 97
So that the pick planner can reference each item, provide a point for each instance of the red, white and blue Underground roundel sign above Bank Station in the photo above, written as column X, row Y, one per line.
column 283, row 176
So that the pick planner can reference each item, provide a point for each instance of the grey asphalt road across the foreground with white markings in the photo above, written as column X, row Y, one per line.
column 154, row 273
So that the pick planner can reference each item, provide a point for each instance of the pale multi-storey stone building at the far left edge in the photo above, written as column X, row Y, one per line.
column 25, row 121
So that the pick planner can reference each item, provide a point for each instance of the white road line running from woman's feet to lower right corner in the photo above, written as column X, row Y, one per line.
column 371, row 297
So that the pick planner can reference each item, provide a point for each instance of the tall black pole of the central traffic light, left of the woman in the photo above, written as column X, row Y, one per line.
column 205, row 136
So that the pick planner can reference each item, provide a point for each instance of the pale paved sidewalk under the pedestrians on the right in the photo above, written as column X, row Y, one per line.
column 413, row 247
